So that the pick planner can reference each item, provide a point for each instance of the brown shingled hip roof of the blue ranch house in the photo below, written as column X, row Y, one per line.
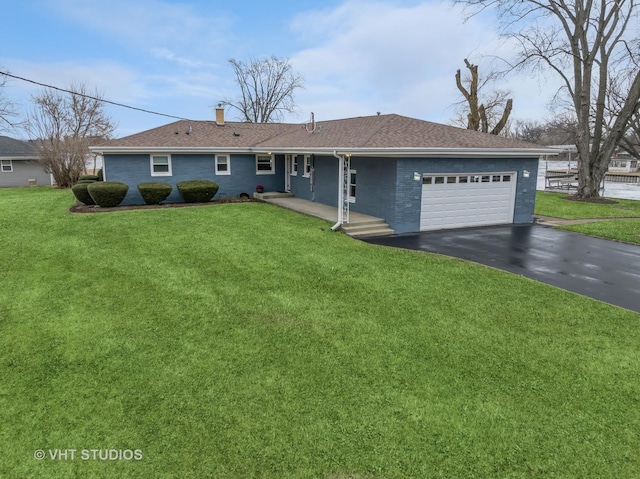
column 380, row 134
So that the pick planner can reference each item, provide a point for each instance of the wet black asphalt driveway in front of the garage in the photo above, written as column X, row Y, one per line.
column 598, row 268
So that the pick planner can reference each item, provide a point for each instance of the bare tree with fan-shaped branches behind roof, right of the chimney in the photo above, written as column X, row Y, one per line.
column 267, row 88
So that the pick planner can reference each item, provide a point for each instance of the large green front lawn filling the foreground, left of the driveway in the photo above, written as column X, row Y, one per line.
column 246, row 341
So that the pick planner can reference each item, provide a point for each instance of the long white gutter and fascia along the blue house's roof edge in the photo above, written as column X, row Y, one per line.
column 375, row 152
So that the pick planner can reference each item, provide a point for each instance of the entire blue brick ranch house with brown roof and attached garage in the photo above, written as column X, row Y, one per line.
column 414, row 174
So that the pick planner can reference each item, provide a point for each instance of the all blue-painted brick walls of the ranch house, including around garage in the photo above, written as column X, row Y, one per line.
column 385, row 186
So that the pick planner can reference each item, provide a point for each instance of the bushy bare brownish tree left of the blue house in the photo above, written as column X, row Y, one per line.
column 65, row 126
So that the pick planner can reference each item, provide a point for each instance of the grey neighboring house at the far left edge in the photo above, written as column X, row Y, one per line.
column 19, row 165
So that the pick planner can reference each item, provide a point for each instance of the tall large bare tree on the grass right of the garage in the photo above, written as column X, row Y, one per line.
column 585, row 43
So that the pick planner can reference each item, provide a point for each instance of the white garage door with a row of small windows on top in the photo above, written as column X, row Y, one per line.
column 457, row 200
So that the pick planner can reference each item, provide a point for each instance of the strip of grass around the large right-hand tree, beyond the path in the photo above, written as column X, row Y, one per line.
column 554, row 204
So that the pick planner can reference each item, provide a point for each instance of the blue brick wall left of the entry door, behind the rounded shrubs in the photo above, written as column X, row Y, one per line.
column 135, row 168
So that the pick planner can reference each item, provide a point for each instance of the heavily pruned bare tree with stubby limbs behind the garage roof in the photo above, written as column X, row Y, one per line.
column 481, row 115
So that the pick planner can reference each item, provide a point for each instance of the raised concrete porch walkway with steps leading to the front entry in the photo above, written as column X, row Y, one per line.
column 359, row 225
